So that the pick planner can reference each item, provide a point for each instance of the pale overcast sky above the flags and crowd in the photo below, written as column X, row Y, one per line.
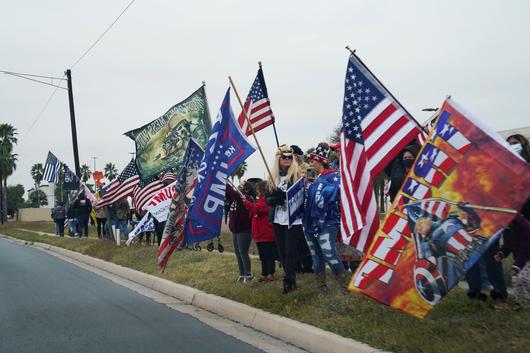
column 160, row 51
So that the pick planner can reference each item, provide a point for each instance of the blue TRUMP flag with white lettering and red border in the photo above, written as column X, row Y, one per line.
column 226, row 149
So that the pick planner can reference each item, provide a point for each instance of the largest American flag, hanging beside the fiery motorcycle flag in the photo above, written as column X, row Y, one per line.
column 375, row 128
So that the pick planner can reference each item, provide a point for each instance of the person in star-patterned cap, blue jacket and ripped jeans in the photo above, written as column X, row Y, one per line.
column 321, row 218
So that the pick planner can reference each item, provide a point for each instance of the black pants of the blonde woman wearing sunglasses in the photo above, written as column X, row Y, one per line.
column 287, row 241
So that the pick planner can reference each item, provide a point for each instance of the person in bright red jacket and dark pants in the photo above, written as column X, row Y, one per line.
column 262, row 233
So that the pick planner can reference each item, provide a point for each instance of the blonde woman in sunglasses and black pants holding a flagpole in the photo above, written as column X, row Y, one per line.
column 285, row 172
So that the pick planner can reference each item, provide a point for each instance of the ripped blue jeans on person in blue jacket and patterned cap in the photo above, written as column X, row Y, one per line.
column 323, row 249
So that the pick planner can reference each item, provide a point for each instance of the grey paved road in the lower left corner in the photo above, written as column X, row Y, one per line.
column 48, row 305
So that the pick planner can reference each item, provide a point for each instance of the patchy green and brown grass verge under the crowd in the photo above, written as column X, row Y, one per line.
column 455, row 325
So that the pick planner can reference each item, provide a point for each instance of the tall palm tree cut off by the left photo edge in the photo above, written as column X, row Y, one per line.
column 8, row 163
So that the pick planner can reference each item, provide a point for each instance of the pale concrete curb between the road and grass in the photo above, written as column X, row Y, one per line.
column 299, row 334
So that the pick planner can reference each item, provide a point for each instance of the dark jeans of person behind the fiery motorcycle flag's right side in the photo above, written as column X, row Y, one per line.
column 494, row 272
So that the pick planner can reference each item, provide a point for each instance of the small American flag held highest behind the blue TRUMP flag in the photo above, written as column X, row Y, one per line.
column 257, row 106
